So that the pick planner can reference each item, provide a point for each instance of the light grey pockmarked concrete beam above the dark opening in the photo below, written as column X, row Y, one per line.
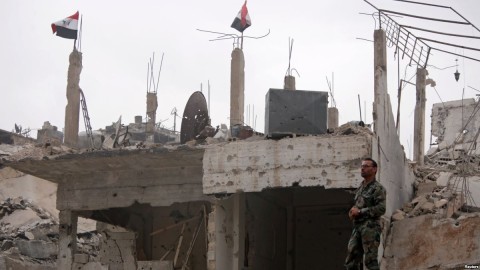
column 329, row 161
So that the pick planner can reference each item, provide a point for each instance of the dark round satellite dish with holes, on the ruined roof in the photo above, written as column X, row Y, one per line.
column 195, row 117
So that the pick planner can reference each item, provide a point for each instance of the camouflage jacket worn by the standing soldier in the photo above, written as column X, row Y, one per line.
column 371, row 201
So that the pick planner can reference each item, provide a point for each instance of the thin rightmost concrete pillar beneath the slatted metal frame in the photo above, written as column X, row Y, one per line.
column 419, row 120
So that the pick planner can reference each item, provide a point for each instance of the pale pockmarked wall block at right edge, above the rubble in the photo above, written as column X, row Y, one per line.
column 450, row 118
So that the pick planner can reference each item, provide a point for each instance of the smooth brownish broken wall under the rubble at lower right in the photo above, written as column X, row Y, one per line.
column 429, row 242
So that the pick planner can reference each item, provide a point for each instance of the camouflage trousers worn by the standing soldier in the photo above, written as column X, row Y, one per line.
column 365, row 240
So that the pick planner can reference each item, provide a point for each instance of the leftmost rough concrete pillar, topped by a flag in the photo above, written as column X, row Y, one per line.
column 72, row 110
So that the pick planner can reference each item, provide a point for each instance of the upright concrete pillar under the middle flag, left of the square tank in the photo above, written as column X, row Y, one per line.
column 237, row 87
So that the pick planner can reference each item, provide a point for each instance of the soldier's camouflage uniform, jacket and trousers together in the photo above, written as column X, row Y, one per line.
column 366, row 227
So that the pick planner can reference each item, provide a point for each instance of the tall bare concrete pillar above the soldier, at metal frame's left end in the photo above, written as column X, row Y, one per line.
column 380, row 78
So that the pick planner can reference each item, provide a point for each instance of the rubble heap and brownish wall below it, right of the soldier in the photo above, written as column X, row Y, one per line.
column 440, row 227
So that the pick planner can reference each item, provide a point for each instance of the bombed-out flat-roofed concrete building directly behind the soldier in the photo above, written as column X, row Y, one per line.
column 254, row 203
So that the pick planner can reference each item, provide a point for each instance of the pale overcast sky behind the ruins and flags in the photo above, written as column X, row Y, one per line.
column 119, row 37
